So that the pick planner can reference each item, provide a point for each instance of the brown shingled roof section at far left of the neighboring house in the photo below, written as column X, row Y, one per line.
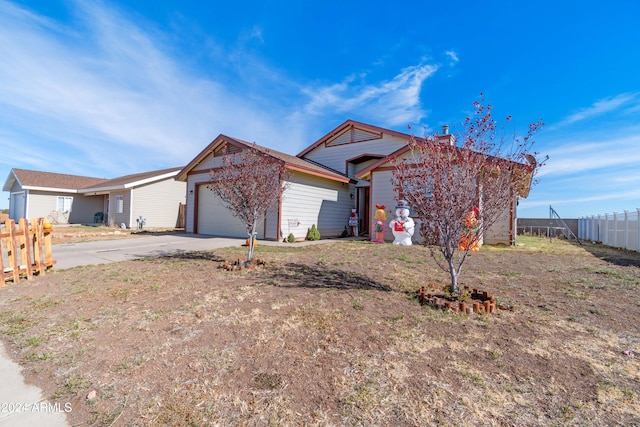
column 48, row 181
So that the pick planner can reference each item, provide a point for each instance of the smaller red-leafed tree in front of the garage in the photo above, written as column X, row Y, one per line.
column 249, row 183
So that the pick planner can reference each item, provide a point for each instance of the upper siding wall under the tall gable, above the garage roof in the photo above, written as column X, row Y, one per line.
column 335, row 156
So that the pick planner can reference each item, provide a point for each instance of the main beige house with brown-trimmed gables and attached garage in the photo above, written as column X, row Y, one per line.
column 347, row 168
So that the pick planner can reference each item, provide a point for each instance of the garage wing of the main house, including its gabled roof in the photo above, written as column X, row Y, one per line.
column 315, row 195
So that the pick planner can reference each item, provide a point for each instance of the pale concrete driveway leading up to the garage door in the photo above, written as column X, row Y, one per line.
column 70, row 255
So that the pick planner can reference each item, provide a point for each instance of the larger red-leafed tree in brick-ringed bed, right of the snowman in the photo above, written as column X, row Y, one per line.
column 447, row 178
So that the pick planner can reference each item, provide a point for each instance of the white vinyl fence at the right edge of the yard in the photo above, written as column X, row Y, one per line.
column 620, row 230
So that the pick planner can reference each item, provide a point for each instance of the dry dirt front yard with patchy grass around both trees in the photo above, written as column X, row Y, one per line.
column 333, row 335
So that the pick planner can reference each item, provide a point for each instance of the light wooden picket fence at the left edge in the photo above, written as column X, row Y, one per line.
column 26, row 251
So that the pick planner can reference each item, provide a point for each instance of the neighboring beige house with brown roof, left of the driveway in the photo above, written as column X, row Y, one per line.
column 153, row 196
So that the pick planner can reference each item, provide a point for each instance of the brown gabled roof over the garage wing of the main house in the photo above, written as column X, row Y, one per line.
column 291, row 162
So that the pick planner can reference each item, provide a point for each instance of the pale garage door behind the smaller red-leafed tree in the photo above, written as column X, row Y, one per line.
column 216, row 220
